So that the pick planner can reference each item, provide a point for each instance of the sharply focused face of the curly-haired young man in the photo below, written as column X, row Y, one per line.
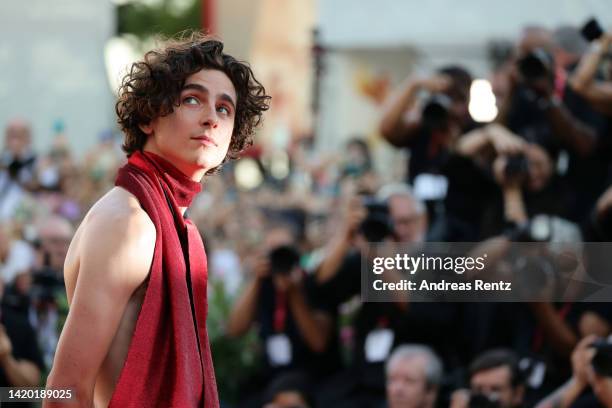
column 195, row 137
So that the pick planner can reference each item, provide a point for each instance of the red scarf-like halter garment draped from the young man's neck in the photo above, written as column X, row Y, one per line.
column 169, row 362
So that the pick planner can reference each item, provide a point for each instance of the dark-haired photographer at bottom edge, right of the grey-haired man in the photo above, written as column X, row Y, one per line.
column 495, row 381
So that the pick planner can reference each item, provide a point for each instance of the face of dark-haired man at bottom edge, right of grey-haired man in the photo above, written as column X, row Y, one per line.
column 496, row 383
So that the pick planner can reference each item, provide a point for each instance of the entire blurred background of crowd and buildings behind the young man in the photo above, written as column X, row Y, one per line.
column 390, row 121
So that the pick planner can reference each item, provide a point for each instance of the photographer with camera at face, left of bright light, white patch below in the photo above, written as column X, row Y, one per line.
column 428, row 130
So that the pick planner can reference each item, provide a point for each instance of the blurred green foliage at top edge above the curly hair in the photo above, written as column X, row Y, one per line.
column 166, row 17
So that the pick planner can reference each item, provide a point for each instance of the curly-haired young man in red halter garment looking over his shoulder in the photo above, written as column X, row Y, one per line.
column 136, row 269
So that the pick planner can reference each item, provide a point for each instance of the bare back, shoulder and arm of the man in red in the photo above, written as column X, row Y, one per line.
column 111, row 253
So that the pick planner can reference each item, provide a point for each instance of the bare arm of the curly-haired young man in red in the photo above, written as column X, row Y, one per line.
column 116, row 249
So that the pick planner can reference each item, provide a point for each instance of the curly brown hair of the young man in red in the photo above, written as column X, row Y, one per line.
column 152, row 88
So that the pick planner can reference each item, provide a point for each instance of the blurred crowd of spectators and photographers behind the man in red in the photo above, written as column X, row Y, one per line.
column 287, row 254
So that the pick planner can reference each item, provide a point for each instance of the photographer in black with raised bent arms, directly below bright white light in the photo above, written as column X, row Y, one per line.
column 494, row 174
